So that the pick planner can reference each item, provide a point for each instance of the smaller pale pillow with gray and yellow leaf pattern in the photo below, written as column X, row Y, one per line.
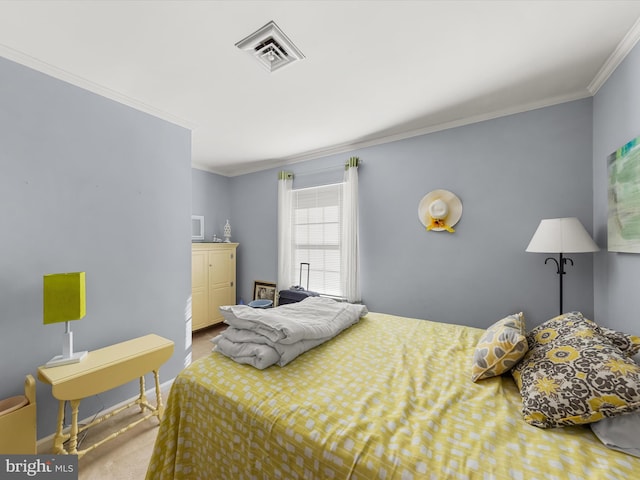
column 500, row 348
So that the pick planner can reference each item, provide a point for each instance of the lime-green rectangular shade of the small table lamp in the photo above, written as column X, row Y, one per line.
column 64, row 297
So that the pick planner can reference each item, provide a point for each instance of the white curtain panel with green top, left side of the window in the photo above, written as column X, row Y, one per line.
column 285, row 212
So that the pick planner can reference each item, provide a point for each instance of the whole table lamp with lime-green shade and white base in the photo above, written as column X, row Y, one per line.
column 64, row 301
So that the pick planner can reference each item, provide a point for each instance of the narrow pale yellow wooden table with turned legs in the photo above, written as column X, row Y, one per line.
column 100, row 371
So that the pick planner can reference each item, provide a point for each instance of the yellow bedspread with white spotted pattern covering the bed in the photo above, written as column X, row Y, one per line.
column 389, row 398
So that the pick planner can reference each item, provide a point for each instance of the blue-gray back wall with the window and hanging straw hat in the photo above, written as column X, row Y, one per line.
column 509, row 173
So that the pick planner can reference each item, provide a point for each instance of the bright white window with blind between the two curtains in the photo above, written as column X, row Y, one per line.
column 316, row 237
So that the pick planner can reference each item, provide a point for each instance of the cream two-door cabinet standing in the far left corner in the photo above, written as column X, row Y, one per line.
column 213, row 281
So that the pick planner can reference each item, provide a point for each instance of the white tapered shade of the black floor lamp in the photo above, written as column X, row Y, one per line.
column 561, row 235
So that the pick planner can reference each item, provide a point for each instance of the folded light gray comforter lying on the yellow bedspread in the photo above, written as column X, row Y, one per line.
column 265, row 337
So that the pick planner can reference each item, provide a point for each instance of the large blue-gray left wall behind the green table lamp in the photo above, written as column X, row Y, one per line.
column 87, row 184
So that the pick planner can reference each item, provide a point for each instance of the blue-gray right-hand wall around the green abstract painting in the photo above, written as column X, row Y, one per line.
column 616, row 120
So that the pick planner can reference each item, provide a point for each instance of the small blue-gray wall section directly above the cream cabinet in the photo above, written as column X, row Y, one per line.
column 210, row 198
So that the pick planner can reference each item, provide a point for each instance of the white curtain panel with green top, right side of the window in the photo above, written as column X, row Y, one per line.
column 349, row 245
